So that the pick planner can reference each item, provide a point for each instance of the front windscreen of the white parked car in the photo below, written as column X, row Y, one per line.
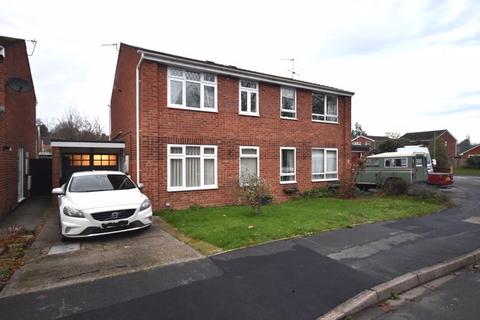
column 100, row 182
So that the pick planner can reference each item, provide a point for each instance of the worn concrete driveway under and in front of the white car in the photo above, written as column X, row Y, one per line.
column 51, row 263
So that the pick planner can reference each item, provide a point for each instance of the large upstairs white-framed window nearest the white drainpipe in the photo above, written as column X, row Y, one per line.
column 192, row 90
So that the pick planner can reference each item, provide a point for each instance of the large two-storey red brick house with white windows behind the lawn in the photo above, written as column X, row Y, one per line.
column 191, row 128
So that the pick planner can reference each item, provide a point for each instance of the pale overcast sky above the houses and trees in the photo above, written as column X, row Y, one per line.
column 413, row 65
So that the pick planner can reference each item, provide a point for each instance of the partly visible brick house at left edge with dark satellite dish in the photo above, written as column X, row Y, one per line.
column 17, row 122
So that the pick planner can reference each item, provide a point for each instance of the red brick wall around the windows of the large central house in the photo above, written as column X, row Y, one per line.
column 229, row 130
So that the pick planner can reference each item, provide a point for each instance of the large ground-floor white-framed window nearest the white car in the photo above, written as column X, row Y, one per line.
column 191, row 167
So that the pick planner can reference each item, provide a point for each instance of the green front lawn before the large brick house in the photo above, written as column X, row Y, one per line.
column 237, row 226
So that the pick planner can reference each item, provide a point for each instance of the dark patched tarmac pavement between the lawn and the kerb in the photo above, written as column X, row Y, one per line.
column 293, row 279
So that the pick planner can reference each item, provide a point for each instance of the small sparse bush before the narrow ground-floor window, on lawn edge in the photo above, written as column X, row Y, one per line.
column 254, row 191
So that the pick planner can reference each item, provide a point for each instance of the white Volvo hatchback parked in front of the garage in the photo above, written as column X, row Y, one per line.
column 99, row 202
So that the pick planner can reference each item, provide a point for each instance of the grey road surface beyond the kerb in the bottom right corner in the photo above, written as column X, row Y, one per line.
column 452, row 297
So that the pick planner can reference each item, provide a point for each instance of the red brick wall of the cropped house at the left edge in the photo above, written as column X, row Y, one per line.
column 17, row 124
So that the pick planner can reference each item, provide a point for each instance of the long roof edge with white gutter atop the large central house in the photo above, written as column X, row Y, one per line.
column 233, row 70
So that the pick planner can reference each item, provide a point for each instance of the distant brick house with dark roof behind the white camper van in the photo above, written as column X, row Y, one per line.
column 427, row 137
